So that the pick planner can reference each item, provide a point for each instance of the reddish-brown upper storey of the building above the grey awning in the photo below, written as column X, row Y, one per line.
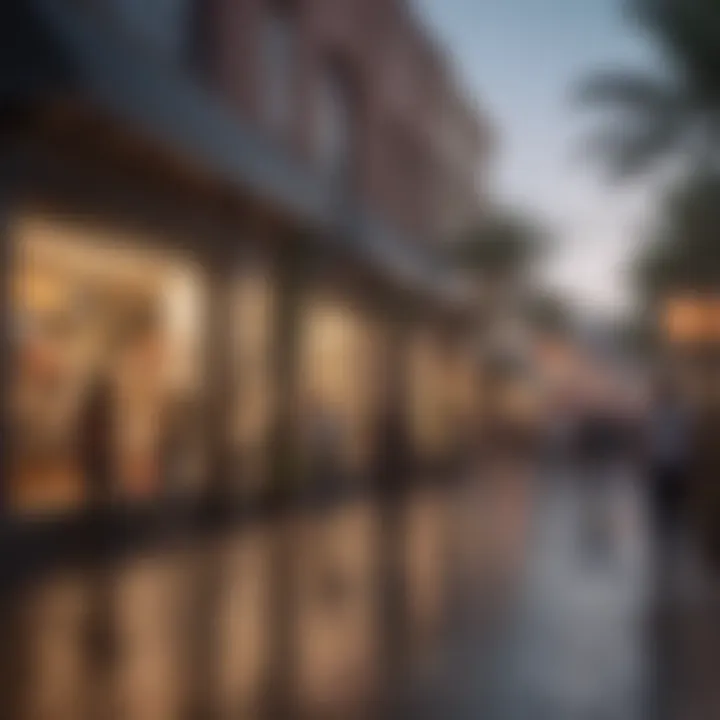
column 358, row 89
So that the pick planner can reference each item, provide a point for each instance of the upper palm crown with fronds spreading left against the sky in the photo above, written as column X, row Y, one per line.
column 674, row 111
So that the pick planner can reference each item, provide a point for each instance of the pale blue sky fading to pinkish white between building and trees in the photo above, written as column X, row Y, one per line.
column 521, row 58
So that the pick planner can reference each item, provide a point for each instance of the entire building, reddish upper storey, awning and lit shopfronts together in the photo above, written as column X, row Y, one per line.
column 221, row 227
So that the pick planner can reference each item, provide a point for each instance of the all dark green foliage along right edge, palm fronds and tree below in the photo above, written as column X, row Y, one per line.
column 673, row 114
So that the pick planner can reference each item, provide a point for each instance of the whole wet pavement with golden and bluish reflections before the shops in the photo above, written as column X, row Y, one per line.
column 521, row 599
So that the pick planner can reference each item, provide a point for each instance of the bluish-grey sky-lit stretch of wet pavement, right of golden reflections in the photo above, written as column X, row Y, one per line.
column 572, row 644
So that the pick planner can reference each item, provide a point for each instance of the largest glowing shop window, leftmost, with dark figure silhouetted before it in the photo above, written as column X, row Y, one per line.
column 107, row 379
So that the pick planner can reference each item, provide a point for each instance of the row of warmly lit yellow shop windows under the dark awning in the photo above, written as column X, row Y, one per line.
column 109, row 389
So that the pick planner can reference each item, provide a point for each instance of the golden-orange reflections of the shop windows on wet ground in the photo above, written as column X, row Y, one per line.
column 193, row 631
